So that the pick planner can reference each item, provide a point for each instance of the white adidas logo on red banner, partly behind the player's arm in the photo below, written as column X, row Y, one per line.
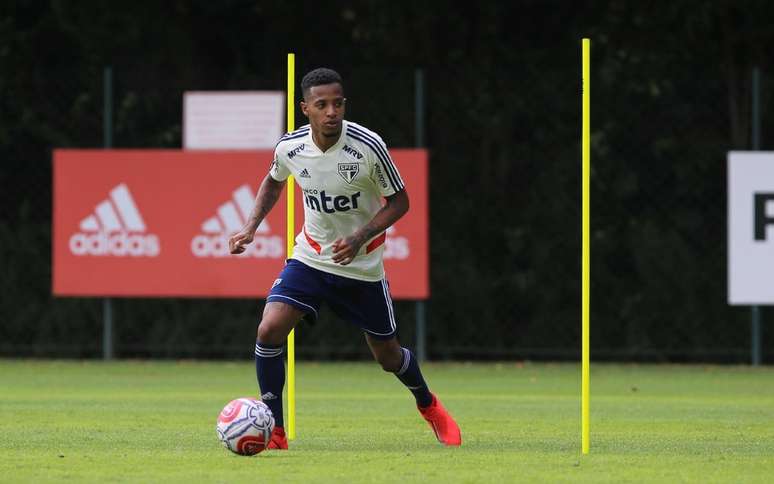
column 230, row 218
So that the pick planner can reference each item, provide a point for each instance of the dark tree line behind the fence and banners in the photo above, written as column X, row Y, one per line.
column 670, row 96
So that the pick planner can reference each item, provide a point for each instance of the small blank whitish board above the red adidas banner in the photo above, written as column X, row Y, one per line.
column 246, row 120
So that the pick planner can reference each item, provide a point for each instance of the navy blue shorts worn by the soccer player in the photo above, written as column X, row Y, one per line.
column 366, row 304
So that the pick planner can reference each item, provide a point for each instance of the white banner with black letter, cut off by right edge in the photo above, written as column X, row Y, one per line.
column 751, row 228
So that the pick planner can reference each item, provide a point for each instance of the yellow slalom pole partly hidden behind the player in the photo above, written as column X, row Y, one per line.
column 291, row 229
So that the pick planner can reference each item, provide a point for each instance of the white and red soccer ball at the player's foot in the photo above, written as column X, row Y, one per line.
column 245, row 425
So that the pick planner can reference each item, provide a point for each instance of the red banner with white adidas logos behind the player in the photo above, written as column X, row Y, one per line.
column 157, row 222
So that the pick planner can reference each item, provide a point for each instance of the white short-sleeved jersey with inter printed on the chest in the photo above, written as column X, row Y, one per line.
column 343, row 189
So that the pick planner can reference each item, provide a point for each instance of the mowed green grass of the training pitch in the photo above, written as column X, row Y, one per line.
column 139, row 421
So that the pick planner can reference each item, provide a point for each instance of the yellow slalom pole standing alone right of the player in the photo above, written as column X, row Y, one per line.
column 586, row 245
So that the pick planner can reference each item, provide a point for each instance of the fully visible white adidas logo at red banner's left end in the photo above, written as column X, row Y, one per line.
column 116, row 228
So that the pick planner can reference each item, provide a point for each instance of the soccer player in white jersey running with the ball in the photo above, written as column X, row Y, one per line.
column 344, row 171
